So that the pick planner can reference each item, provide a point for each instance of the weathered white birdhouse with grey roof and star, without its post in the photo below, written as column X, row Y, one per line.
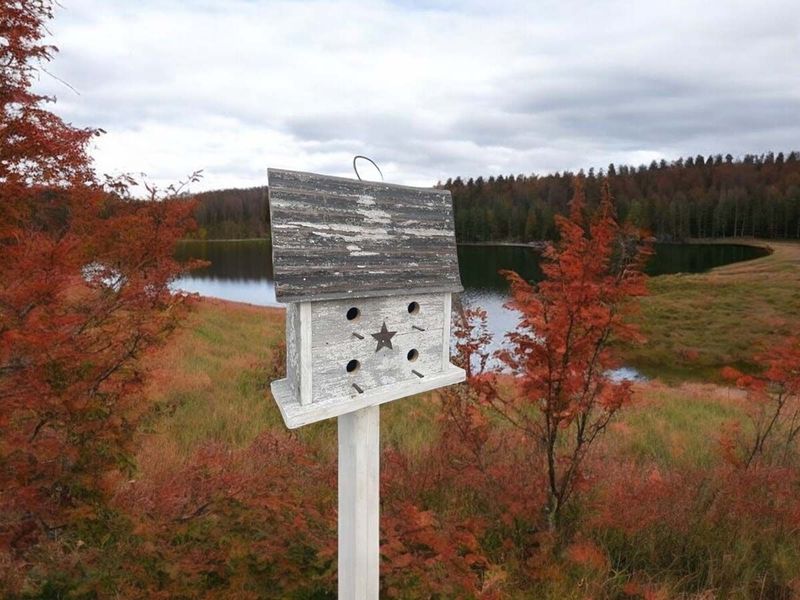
column 367, row 271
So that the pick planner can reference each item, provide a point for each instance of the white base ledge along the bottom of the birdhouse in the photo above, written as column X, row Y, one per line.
column 296, row 415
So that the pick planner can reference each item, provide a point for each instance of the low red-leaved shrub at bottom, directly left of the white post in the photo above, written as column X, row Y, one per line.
column 238, row 522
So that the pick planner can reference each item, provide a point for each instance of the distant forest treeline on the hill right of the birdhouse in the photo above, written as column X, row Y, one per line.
column 696, row 197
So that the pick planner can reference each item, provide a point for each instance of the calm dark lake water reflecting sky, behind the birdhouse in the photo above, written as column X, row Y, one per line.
column 242, row 271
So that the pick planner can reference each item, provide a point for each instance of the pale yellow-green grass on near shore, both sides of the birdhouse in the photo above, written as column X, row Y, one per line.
column 211, row 385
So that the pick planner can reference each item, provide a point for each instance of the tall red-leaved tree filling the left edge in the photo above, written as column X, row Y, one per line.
column 84, row 291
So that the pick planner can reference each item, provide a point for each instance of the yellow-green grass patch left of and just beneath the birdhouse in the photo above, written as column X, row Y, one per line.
column 212, row 384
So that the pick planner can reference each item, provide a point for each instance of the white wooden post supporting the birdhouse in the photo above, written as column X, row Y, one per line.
column 359, row 518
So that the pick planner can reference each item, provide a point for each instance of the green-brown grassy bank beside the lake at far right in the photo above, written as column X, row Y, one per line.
column 697, row 324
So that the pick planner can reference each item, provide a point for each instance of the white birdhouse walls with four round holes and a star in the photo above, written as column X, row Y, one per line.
column 353, row 347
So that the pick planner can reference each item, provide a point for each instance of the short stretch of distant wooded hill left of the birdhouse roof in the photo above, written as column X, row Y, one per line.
column 232, row 214
